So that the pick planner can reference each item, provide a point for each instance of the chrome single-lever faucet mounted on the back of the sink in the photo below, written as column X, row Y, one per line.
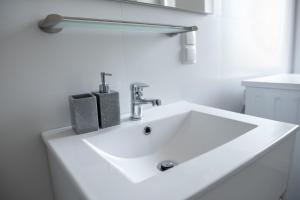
column 137, row 100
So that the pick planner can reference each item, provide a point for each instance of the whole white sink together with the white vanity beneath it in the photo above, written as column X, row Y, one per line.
column 220, row 155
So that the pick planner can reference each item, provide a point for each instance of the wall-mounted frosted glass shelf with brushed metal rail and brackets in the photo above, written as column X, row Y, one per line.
column 55, row 23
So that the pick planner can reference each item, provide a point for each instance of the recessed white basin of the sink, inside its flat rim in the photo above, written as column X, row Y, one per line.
column 178, row 138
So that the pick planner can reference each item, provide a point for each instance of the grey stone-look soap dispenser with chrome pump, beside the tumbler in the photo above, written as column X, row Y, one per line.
column 107, row 104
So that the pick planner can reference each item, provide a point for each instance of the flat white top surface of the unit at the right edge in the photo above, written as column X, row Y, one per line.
column 280, row 81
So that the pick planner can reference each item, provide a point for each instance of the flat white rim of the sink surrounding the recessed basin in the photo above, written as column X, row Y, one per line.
column 97, row 179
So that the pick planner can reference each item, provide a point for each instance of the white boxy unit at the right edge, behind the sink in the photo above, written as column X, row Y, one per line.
column 278, row 98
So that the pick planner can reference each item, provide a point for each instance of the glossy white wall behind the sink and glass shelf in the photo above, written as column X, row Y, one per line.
column 38, row 70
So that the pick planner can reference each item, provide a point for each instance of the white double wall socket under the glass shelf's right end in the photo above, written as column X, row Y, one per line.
column 189, row 48
